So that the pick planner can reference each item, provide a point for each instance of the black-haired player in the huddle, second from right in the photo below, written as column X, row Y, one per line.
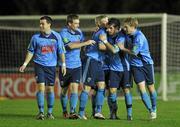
column 119, row 69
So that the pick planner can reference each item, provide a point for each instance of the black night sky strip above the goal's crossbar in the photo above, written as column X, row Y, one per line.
column 39, row 7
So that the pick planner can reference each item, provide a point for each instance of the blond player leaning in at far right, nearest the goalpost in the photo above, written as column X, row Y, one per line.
column 141, row 64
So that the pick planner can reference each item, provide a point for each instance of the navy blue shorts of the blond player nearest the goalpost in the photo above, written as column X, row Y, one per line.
column 144, row 73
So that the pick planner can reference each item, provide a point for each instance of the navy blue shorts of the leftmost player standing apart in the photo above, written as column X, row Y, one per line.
column 45, row 74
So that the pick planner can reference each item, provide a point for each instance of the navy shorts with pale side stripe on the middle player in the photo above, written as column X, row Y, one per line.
column 93, row 72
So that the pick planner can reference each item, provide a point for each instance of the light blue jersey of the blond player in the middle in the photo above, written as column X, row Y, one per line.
column 93, row 50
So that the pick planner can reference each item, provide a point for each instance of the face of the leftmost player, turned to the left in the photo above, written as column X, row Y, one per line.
column 44, row 26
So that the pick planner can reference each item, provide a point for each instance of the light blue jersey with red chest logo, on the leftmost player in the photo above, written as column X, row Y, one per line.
column 46, row 48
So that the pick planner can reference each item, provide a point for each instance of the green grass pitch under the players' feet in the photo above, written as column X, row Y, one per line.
column 21, row 113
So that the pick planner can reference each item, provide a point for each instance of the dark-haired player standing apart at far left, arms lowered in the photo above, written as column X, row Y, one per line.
column 45, row 47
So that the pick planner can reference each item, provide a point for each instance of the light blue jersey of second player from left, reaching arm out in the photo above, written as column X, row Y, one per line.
column 73, row 59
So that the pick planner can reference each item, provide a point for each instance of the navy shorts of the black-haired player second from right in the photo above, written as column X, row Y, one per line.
column 120, row 79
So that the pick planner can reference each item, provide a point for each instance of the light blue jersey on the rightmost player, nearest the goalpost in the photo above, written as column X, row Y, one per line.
column 141, row 49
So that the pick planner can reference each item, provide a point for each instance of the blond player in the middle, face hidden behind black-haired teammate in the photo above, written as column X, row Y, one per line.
column 93, row 74
